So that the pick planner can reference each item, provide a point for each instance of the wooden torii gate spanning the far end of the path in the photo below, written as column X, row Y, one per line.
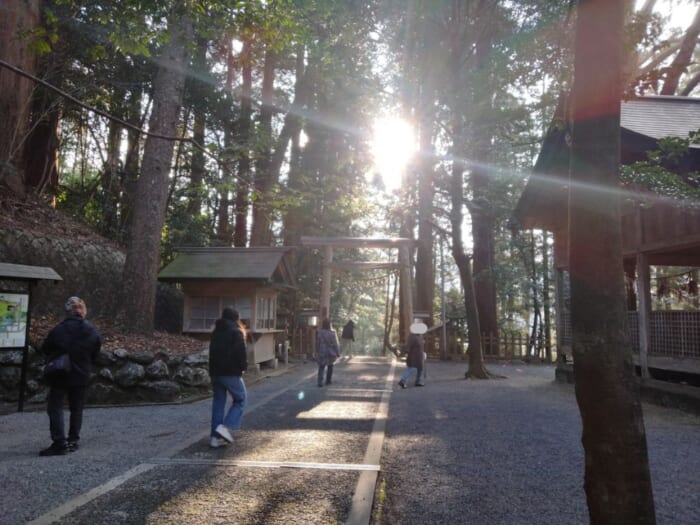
column 403, row 265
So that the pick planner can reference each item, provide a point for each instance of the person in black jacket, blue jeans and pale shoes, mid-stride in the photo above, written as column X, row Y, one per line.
column 227, row 362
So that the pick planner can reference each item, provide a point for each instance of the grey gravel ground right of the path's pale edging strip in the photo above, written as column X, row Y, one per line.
column 508, row 452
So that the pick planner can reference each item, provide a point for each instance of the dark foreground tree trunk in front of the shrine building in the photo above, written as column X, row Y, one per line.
column 617, row 480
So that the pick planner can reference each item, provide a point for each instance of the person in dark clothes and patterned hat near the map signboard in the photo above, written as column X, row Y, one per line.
column 79, row 339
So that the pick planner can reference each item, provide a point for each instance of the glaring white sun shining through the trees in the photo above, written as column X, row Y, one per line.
column 393, row 145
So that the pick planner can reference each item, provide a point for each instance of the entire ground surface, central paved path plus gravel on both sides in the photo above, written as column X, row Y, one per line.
column 456, row 451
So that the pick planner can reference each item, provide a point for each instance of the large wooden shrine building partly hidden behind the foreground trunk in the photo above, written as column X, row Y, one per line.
column 655, row 231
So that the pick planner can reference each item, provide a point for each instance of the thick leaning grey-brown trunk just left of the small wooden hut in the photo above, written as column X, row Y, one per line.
column 143, row 254
